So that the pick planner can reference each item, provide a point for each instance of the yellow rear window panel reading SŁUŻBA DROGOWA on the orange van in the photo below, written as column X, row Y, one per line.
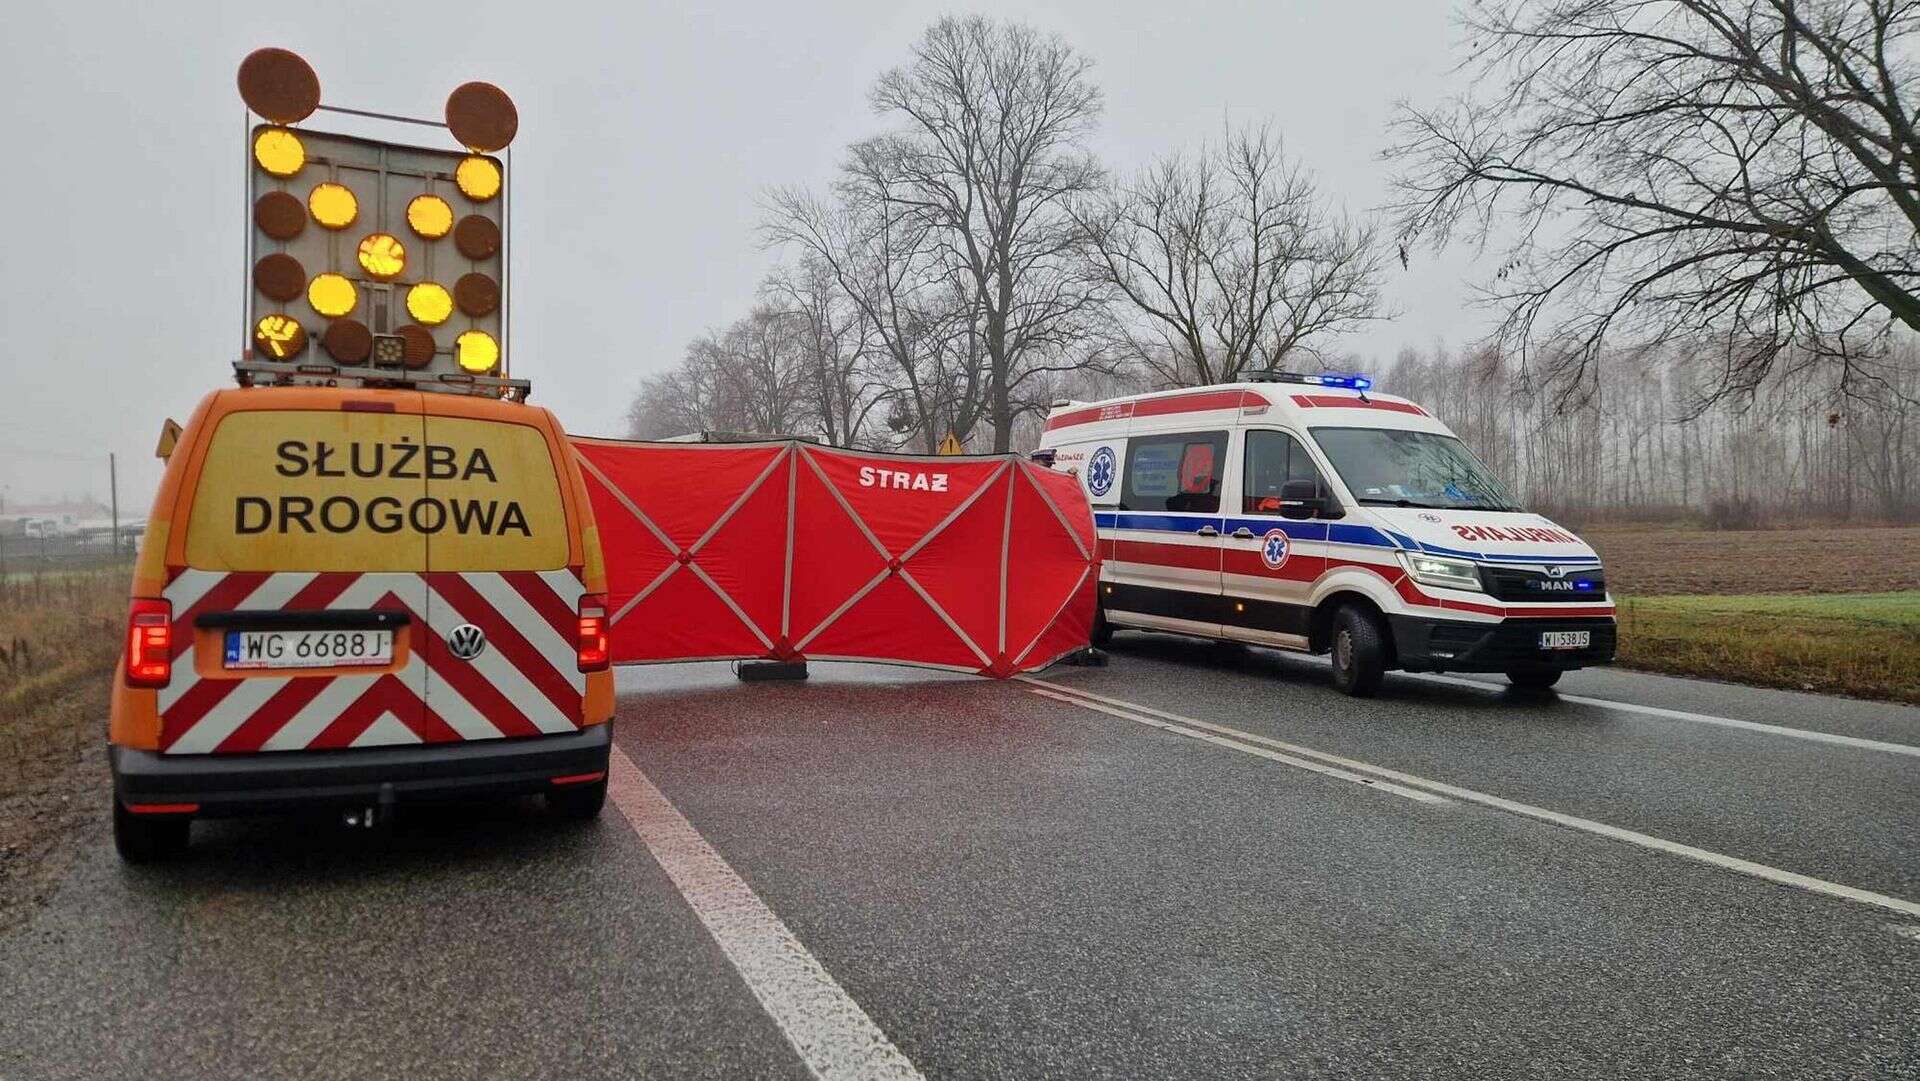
column 375, row 492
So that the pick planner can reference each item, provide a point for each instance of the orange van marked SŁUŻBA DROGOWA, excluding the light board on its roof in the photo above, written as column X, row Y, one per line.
column 356, row 598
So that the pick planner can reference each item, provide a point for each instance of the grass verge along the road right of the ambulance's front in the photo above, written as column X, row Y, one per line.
column 1848, row 644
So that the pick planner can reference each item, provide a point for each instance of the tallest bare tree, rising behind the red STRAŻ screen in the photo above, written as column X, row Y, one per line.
column 990, row 155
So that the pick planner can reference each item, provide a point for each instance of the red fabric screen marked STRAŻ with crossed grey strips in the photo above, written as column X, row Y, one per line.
column 865, row 531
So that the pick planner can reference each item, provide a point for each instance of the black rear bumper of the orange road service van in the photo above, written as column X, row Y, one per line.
column 289, row 781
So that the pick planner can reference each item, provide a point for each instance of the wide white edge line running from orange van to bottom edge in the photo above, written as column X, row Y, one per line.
column 832, row 1034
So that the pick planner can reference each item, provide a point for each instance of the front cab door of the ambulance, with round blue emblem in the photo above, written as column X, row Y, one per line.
column 1272, row 562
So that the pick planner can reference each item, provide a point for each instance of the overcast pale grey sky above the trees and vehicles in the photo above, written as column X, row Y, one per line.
column 648, row 133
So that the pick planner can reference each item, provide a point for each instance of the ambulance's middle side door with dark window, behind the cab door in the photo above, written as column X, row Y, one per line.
column 1164, row 562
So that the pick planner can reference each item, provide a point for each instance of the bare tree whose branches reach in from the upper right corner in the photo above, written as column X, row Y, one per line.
column 1735, row 176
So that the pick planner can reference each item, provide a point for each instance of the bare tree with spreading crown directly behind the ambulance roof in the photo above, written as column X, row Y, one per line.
column 1232, row 260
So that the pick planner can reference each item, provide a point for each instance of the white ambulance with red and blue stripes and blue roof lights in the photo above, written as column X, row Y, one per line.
column 1312, row 514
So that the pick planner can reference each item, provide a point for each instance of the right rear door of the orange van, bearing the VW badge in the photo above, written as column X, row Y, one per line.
column 504, row 587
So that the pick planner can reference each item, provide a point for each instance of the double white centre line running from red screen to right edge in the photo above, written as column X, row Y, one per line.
column 1527, row 811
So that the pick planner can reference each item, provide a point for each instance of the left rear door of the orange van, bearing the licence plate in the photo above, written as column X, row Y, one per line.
column 299, row 594
